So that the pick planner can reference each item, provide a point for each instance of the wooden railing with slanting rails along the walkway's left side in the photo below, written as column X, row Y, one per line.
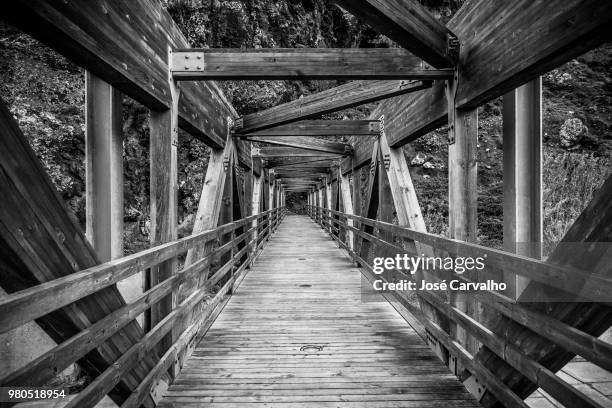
column 191, row 315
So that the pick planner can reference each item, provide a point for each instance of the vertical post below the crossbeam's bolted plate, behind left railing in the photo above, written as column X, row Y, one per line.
column 164, row 189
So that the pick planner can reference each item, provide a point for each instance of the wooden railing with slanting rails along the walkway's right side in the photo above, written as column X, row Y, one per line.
column 591, row 286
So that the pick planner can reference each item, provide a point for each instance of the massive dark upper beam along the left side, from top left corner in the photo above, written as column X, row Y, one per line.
column 125, row 43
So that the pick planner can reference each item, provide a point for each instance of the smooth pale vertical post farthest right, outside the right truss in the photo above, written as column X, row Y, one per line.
column 522, row 115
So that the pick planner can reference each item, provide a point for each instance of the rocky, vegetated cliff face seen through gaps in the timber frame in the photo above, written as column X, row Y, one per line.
column 45, row 93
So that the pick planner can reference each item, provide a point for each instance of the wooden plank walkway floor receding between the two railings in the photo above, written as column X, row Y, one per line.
column 304, row 291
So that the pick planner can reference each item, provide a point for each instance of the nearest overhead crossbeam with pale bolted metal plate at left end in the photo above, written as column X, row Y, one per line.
column 301, row 63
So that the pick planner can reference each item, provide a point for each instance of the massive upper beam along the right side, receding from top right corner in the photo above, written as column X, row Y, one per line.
column 552, row 33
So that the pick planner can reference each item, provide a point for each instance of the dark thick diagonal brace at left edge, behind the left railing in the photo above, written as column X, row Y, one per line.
column 40, row 242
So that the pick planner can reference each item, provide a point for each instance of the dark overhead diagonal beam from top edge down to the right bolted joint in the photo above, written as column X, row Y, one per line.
column 410, row 25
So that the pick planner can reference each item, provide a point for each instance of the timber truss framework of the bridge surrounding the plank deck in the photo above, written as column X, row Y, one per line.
column 52, row 273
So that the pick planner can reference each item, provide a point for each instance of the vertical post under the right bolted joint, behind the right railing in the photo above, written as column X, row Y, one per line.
column 462, row 178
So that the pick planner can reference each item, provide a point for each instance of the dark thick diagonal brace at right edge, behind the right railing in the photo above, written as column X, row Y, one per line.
column 593, row 225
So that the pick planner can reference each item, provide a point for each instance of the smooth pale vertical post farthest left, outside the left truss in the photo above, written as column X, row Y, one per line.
column 104, row 169
